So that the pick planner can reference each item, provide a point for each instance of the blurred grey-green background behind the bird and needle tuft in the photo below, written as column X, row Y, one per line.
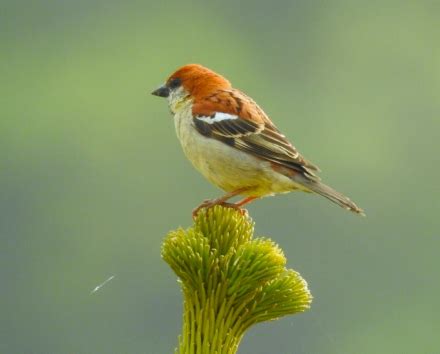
column 92, row 176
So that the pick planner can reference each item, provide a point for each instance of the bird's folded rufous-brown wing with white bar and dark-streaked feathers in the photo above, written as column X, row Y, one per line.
column 235, row 119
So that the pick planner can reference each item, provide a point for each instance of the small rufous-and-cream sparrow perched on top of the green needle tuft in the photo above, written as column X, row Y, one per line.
column 234, row 144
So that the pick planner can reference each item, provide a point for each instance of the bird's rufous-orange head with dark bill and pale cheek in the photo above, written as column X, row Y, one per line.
column 191, row 81
